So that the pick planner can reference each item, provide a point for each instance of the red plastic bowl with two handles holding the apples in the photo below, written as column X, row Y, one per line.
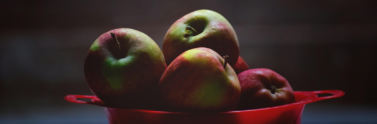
column 284, row 114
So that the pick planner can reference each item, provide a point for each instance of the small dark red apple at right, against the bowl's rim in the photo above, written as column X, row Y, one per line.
column 257, row 91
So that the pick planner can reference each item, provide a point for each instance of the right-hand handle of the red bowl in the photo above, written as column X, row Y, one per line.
column 334, row 94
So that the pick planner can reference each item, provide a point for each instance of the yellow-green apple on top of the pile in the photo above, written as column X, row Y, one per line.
column 212, row 31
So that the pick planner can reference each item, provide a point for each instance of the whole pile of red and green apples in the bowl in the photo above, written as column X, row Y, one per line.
column 198, row 70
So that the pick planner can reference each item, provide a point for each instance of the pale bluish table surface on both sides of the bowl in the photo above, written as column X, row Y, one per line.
column 88, row 114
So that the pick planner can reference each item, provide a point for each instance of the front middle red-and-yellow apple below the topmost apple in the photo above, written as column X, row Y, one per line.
column 196, row 81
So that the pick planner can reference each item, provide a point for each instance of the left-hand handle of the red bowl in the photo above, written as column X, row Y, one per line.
column 95, row 99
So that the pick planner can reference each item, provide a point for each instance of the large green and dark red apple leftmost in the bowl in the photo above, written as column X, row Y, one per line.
column 123, row 67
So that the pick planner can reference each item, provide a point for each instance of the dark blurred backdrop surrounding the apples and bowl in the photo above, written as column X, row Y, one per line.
column 315, row 45
